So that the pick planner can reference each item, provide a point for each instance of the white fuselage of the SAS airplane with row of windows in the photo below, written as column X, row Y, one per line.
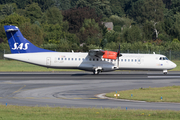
column 70, row 60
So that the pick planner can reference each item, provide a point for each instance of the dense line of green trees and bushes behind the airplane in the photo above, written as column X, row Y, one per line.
column 65, row 25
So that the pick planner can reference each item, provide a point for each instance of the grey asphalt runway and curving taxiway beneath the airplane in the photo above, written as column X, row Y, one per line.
column 80, row 89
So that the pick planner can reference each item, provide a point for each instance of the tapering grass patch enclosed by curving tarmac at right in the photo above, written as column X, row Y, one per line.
column 168, row 94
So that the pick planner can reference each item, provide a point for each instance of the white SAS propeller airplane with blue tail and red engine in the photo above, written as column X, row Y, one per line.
column 95, row 60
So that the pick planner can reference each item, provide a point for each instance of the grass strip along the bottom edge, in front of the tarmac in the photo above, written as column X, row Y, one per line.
column 49, row 113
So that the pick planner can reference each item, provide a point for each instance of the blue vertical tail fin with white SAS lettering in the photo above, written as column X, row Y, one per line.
column 18, row 44
